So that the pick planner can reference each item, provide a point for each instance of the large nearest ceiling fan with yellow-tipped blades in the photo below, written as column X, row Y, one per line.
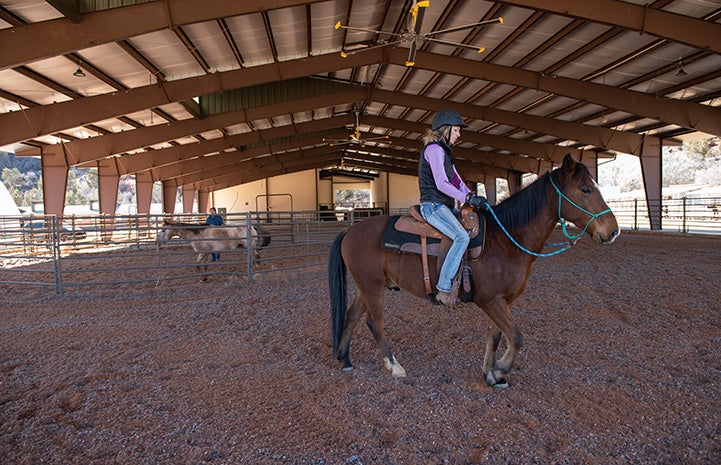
column 414, row 35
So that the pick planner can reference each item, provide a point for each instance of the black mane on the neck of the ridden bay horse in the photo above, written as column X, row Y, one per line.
column 521, row 208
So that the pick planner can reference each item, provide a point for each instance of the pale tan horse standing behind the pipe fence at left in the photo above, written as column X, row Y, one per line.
column 206, row 239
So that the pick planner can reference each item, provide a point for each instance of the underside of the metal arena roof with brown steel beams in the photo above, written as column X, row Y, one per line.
column 213, row 93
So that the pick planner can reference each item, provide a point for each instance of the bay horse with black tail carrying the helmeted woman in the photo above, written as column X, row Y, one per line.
column 499, row 276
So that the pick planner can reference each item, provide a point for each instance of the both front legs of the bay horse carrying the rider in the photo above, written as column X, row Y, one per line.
column 503, row 323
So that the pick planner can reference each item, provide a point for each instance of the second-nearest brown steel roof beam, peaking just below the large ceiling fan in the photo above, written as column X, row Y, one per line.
column 48, row 119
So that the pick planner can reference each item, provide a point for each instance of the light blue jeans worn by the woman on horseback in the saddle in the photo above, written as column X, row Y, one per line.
column 444, row 220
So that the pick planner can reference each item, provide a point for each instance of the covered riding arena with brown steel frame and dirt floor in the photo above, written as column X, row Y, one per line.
column 113, row 352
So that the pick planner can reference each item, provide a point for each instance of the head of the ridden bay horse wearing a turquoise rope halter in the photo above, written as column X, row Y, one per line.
column 580, row 202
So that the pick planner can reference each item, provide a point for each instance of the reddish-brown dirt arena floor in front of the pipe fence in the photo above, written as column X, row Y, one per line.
column 621, row 365
